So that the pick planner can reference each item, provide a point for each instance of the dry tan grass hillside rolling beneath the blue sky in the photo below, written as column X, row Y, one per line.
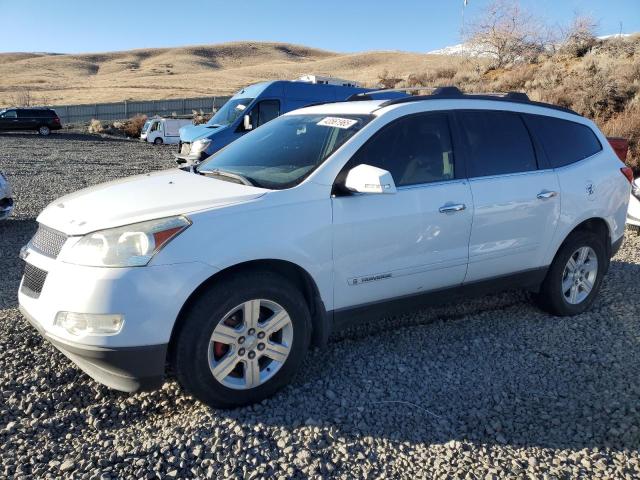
column 187, row 71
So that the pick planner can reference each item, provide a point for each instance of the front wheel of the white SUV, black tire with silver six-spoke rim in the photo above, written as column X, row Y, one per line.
column 242, row 339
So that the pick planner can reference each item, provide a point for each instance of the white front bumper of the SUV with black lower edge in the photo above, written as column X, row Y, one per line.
column 150, row 299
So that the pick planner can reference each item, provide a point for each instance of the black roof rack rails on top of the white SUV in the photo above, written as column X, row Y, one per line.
column 451, row 92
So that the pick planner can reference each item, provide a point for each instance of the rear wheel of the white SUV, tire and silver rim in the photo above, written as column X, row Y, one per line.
column 575, row 276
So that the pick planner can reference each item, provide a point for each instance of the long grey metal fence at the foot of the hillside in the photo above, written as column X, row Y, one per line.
column 127, row 109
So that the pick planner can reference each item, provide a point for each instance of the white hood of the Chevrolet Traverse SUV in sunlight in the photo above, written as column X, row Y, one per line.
column 140, row 198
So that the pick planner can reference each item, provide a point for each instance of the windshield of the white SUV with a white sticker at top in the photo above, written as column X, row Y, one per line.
column 284, row 151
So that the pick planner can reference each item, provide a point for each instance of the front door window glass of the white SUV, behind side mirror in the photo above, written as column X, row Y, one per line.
column 415, row 149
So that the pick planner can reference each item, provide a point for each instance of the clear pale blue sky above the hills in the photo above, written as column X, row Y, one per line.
column 75, row 26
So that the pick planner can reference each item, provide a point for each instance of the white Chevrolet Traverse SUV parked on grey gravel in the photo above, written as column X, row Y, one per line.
column 229, row 273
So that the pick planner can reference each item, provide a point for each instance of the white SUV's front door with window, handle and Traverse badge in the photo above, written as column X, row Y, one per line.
column 410, row 242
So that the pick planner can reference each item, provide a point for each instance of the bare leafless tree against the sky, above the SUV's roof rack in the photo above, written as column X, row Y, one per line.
column 506, row 34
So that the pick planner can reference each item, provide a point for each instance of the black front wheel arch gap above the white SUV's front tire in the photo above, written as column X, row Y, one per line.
column 320, row 320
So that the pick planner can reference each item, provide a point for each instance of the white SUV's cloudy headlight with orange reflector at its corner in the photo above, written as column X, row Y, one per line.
column 128, row 246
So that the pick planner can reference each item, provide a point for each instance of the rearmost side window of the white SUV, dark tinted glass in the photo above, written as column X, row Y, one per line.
column 563, row 141
